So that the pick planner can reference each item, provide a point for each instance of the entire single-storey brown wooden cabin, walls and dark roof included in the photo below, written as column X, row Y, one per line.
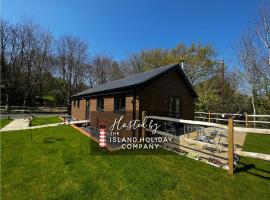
column 163, row 93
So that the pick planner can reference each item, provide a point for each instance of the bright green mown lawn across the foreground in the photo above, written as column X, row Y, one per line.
column 57, row 165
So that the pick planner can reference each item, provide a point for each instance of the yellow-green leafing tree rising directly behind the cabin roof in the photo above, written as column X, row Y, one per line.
column 199, row 65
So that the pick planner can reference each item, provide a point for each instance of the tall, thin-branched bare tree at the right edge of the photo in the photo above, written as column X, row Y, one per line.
column 253, row 52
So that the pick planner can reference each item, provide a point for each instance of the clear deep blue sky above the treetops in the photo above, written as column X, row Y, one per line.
column 120, row 27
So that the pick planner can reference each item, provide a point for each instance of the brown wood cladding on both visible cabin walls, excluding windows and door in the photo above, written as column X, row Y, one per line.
column 152, row 97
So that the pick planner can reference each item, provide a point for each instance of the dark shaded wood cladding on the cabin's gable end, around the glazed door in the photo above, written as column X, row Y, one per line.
column 154, row 95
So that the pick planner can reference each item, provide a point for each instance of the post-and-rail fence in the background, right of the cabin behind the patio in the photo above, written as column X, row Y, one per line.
column 241, row 119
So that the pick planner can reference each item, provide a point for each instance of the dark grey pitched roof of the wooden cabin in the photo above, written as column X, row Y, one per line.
column 134, row 80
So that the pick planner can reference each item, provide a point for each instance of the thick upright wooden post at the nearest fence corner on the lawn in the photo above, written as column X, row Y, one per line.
column 230, row 146
